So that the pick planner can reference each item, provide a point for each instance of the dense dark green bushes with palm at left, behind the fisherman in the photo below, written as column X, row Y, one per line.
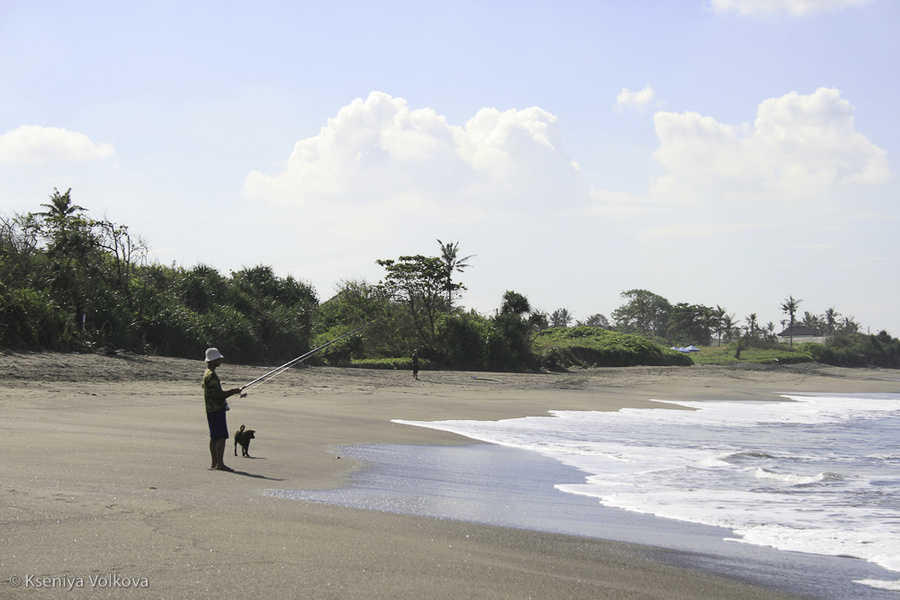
column 72, row 283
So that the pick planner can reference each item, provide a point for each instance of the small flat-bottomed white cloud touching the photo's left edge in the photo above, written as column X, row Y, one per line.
column 33, row 144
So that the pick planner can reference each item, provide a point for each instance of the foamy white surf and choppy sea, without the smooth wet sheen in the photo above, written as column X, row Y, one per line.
column 812, row 473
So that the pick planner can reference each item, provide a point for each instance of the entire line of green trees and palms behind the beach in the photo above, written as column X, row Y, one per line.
column 69, row 282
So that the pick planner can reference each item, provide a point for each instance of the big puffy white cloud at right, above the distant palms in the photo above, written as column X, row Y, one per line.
column 798, row 146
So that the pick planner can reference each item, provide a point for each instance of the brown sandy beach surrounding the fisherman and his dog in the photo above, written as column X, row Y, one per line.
column 107, row 492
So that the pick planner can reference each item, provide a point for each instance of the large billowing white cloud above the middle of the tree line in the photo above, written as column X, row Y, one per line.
column 383, row 159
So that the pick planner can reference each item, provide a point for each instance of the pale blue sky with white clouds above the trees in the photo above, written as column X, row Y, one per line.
column 728, row 153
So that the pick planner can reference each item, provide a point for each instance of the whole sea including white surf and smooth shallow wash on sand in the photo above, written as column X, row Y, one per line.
column 805, row 489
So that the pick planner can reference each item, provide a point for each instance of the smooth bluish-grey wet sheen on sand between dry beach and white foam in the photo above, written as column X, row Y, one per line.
column 494, row 485
